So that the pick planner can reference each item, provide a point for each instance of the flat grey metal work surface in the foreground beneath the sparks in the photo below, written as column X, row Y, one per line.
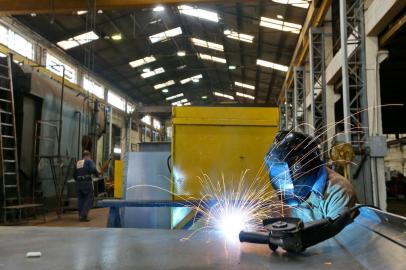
column 365, row 244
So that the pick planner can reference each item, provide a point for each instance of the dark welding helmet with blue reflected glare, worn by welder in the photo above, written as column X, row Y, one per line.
column 295, row 166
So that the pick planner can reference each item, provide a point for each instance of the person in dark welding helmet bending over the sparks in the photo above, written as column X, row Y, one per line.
column 306, row 184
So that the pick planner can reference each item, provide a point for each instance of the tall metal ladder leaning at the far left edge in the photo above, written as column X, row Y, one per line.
column 8, row 141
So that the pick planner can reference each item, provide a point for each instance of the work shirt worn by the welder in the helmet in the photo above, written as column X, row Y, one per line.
column 328, row 200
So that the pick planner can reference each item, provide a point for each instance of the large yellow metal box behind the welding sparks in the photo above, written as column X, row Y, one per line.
column 219, row 141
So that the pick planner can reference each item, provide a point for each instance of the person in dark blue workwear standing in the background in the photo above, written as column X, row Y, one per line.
column 85, row 168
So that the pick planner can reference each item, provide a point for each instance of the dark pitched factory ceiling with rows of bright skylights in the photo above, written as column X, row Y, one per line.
column 110, row 58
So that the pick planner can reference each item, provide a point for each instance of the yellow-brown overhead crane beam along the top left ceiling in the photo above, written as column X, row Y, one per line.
column 12, row 7
